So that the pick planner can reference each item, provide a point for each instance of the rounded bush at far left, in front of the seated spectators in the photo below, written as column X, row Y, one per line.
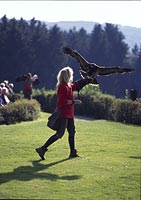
column 20, row 110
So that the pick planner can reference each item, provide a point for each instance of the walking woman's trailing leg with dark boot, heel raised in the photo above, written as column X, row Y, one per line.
column 60, row 132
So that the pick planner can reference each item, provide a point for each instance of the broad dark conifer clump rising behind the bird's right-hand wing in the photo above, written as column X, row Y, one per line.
column 108, row 48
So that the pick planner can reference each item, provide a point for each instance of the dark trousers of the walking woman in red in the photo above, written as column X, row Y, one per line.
column 65, row 123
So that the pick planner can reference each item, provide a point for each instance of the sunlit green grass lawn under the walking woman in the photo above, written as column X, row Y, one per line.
column 109, row 170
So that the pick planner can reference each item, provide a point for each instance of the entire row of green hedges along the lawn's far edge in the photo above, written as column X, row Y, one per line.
column 94, row 104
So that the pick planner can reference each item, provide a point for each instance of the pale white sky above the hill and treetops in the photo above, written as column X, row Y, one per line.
column 126, row 13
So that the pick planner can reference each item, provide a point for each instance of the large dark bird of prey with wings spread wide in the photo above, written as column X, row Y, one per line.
column 91, row 70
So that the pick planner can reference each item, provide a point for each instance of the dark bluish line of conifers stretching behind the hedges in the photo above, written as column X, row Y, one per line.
column 30, row 46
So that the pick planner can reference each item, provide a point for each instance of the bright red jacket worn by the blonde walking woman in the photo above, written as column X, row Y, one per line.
column 65, row 93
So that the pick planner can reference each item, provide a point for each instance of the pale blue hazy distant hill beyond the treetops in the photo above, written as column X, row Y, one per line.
column 132, row 34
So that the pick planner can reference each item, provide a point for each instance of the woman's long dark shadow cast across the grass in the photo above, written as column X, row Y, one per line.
column 27, row 173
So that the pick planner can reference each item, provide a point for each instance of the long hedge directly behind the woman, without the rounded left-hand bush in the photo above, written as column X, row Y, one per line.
column 96, row 105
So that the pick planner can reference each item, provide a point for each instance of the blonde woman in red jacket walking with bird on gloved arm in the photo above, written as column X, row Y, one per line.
column 65, row 99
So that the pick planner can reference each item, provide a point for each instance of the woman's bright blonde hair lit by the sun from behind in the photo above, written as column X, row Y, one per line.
column 65, row 75
